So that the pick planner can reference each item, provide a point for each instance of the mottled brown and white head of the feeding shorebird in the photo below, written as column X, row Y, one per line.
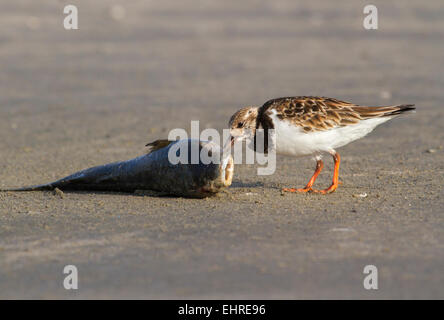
column 243, row 124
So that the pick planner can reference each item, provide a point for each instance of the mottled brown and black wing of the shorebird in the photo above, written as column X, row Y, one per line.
column 321, row 113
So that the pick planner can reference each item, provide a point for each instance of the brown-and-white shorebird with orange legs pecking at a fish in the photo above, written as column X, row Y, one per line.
column 310, row 126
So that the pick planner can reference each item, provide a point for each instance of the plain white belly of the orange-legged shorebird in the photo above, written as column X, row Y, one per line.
column 293, row 140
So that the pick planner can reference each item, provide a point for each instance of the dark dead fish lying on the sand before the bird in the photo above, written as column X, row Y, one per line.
column 154, row 171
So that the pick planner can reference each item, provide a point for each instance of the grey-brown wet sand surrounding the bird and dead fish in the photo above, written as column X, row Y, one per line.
column 74, row 99
